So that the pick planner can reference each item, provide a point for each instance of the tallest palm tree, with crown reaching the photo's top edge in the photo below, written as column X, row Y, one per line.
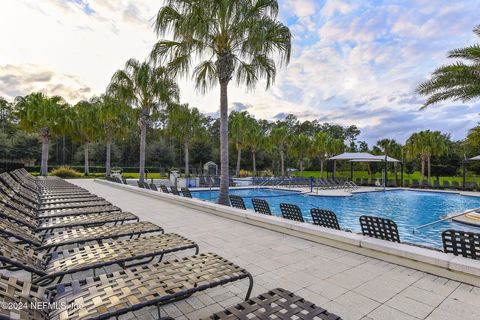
column 232, row 39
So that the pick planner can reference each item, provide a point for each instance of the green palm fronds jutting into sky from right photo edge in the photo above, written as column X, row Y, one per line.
column 459, row 81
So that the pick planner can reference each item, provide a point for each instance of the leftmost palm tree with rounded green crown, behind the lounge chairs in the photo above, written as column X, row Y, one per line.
column 41, row 114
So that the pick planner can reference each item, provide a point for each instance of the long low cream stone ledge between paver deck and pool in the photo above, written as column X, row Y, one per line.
column 422, row 259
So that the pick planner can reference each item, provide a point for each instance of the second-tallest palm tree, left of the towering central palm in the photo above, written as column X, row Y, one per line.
column 147, row 88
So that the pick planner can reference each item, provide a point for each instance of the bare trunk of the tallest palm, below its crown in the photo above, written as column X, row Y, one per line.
column 224, row 181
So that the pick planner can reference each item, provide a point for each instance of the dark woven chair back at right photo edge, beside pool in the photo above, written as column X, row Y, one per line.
column 461, row 243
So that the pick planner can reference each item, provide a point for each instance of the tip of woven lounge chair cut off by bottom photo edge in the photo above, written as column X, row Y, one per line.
column 275, row 304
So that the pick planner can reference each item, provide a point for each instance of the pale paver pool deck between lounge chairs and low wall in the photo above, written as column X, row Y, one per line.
column 349, row 284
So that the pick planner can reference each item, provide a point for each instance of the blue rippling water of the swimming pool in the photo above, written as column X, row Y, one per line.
column 409, row 209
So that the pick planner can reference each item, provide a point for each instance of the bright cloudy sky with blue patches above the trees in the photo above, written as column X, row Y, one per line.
column 353, row 62
